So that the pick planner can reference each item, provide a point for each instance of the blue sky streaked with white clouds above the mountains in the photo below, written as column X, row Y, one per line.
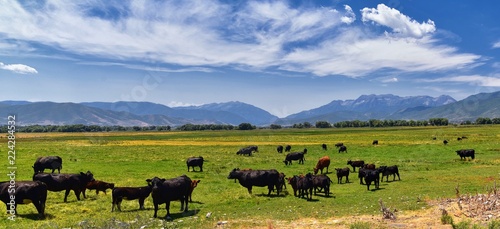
column 281, row 56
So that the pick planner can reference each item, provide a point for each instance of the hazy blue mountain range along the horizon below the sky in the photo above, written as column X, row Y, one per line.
column 365, row 107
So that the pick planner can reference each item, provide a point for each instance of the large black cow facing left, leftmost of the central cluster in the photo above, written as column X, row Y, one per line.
column 260, row 178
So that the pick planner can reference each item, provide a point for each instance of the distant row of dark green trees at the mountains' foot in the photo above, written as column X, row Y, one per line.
column 246, row 126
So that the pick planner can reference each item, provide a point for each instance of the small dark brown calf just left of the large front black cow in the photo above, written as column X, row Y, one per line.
column 130, row 193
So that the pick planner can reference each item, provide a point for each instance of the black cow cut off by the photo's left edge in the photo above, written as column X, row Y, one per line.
column 24, row 192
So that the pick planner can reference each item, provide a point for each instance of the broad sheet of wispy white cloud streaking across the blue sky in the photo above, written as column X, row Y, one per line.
column 254, row 35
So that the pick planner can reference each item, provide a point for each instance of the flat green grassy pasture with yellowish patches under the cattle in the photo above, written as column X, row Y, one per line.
column 429, row 170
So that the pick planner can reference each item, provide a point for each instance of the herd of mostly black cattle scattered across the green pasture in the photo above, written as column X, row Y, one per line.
column 163, row 191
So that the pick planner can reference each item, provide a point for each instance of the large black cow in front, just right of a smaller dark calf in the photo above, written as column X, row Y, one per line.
column 166, row 190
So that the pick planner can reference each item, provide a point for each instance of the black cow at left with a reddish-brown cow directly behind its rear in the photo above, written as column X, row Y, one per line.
column 68, row 182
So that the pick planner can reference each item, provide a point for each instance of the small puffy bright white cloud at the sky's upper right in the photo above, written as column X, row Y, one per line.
column 398, row 22
